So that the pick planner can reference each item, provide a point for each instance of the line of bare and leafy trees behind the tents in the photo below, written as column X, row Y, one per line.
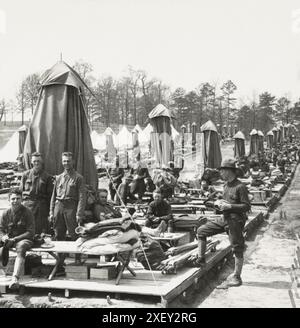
column 129, row 99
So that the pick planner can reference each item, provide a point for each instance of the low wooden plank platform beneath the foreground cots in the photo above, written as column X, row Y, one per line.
column 162, row 287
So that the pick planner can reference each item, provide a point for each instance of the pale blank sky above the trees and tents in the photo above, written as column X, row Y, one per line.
column 254, row 43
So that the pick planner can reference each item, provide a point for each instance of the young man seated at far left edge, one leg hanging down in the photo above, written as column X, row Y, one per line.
column 17, row 231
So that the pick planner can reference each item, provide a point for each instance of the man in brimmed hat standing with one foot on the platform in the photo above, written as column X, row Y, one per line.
column 234, row 205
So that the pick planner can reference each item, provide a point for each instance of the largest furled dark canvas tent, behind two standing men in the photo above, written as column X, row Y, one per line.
column 60, row 124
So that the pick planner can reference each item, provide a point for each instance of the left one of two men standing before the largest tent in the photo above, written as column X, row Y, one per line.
column 37, row 186
